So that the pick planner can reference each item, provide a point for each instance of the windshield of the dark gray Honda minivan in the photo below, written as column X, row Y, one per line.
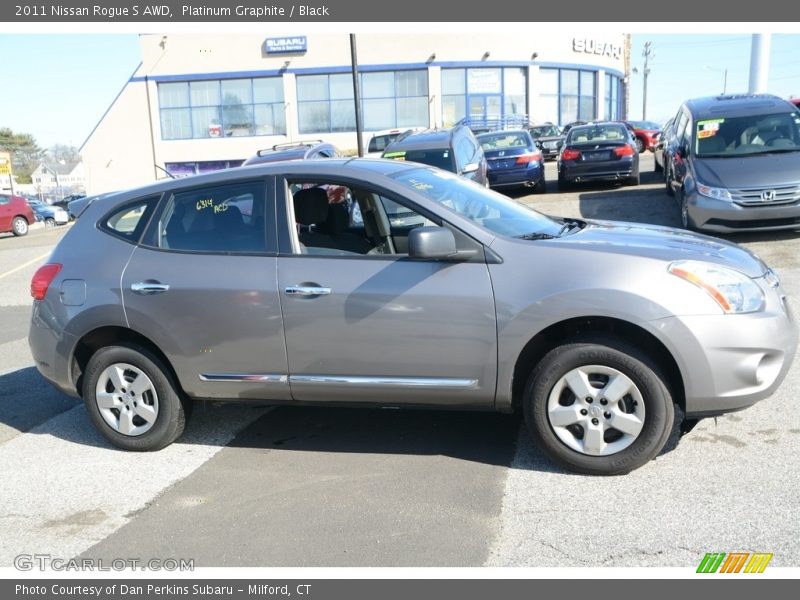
column 752, row 134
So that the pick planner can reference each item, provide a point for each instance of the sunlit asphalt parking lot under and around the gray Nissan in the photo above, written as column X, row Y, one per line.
column 349, row 487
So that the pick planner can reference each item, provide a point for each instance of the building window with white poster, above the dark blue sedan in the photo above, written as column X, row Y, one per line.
column 483, row 93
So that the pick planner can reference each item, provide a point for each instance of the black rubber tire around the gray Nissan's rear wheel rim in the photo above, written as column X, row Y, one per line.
column 171, row 412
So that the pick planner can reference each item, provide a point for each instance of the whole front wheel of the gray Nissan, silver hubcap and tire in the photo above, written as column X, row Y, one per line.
column 598, row 406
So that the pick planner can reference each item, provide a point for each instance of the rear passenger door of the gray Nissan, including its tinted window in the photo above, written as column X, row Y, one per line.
column 202, row 286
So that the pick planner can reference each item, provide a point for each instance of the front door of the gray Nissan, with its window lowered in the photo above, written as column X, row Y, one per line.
column 383, row 328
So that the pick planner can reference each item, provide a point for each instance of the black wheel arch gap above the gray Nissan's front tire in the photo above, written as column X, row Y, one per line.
column 558, row 333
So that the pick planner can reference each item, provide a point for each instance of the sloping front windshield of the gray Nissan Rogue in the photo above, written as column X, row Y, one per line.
column 489, row 209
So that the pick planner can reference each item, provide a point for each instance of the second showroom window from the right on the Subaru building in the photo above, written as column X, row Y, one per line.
column 567, row 95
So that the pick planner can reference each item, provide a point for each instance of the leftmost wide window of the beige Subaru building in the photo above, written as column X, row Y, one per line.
column 222, row 108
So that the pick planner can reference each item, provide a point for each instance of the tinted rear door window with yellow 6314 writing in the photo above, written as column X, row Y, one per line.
column 228, row 219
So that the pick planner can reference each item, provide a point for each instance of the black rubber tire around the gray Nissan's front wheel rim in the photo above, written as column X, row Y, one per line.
column 599, row 352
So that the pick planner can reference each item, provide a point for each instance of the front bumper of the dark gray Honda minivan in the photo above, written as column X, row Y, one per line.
column 725, row 216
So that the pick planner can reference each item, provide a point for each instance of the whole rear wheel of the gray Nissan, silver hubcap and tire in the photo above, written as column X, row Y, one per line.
column 132, row 399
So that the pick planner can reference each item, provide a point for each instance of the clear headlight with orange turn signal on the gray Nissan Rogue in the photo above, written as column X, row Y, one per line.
column 735, row 292
